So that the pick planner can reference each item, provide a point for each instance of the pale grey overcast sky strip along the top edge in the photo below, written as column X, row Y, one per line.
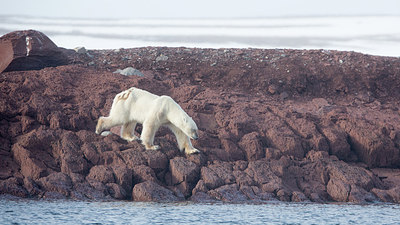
column 197, row 8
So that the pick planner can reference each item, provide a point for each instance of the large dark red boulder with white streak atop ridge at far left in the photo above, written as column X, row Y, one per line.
column 29, row 50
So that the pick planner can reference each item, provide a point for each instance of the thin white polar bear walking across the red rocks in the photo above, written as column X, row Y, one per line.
column 152, row 111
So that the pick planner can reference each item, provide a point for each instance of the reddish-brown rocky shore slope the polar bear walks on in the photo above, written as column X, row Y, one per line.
column 289, row 125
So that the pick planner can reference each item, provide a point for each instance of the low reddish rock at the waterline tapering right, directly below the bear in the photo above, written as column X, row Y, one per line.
column 151, row 191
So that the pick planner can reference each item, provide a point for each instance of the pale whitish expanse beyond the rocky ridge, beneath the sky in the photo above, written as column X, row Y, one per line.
column 377, row 35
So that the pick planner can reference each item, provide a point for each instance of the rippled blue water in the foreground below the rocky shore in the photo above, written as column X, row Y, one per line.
column 26, row 211
